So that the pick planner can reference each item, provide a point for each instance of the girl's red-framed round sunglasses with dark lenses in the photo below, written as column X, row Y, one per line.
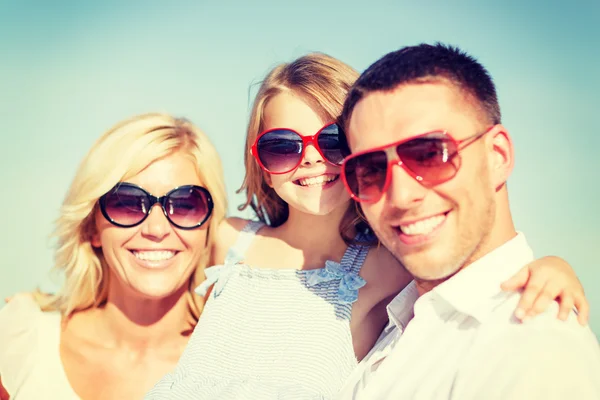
column 280, row 150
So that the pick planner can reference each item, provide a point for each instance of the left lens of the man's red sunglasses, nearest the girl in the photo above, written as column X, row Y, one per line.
column 365, row 175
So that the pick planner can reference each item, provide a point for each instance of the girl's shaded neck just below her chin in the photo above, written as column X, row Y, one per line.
column 314, row 233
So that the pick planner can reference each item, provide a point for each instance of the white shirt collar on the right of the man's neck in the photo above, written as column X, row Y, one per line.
column 475, row 290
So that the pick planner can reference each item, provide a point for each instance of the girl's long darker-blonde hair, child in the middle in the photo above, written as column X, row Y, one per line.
column 323, row 82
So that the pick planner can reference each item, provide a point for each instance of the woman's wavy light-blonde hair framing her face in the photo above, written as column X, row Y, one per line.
column 121, row 153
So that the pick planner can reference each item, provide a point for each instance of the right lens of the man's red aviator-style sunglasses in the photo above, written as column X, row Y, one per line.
column 430, row 157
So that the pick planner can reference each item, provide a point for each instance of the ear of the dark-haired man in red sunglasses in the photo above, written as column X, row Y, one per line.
column 501, row 155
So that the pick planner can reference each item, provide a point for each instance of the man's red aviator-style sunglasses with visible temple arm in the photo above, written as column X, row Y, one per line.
column 431, row 158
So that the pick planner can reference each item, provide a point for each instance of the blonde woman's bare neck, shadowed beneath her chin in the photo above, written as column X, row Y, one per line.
column 130, row 321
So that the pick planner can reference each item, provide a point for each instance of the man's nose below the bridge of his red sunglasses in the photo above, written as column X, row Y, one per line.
column 404, row 191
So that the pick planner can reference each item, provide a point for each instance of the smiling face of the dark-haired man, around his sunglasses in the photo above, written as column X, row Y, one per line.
column 433, row 230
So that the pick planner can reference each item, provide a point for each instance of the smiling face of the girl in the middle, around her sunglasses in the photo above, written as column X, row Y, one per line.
column 315, row 186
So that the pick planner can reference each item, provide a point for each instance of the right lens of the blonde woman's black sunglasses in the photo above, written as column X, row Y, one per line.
column 189, row 206
